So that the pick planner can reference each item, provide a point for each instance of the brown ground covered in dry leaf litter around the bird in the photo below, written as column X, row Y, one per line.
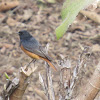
column 41, row 20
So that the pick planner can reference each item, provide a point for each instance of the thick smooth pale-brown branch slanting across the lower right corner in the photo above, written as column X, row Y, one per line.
column 92, row 88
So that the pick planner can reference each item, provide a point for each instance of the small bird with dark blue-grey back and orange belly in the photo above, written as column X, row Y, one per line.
column 33, row 48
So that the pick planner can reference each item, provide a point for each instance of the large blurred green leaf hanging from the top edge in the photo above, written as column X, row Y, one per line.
column 69, row 12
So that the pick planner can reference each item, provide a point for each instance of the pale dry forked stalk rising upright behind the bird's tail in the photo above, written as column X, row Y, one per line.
column 48, row 86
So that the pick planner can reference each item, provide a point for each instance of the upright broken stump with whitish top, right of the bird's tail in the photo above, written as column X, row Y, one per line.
column 65, row 79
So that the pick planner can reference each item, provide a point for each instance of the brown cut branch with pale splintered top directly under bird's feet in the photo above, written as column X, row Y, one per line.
column 24, row 81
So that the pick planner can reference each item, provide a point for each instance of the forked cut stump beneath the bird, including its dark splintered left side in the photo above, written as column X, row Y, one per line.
column 15, row 89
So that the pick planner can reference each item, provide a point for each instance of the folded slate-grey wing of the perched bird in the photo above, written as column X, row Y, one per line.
column 34, row 47
